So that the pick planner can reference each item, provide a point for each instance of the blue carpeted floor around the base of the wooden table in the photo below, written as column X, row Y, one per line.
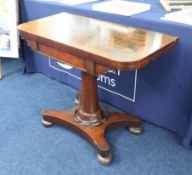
column 28, row 148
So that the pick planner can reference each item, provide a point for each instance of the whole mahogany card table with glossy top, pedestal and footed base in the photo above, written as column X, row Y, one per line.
column 94, row 46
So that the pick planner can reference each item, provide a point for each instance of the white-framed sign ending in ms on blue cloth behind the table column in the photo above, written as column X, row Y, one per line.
column 118, row 83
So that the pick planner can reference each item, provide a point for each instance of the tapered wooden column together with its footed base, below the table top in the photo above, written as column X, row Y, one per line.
column 89, row 120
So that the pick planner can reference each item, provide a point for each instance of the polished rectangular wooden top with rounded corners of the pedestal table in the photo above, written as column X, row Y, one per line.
column 113, row 45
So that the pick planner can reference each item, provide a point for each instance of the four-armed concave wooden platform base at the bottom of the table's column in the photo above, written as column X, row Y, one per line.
column 94, row 134
